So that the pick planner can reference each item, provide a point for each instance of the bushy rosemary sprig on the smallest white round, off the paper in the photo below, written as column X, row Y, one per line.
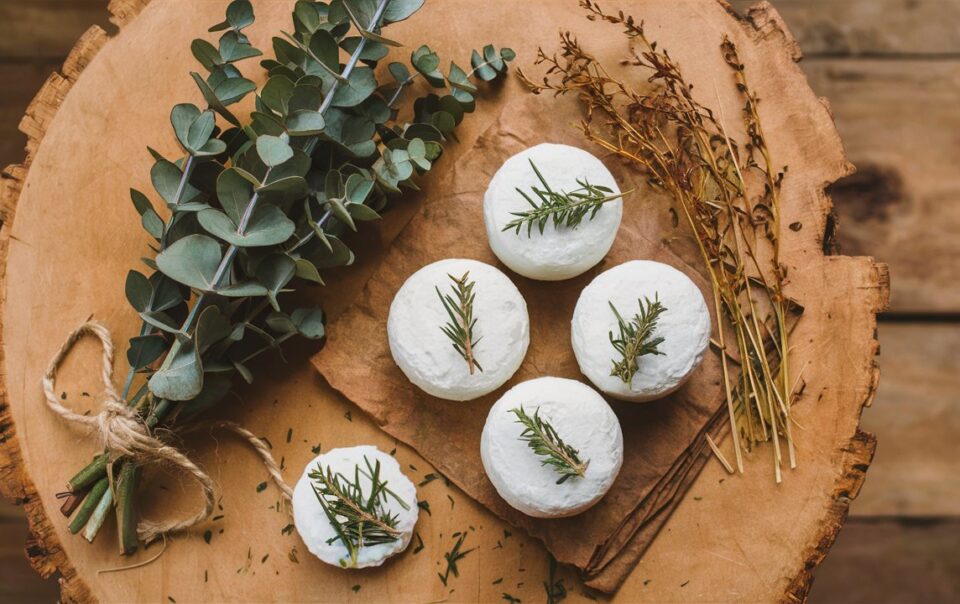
column 359, row 519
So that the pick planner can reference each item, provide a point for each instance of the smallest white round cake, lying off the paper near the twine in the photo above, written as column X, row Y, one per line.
column 314, row 526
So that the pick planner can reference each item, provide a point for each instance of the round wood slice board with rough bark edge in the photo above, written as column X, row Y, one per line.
column 69, row 237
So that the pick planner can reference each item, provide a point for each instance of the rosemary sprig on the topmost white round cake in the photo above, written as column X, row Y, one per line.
column 564, row 208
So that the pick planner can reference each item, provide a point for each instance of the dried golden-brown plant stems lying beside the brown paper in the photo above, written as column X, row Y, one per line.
column 684, row 150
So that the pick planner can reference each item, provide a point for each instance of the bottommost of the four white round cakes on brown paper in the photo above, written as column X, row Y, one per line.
column 582, row 419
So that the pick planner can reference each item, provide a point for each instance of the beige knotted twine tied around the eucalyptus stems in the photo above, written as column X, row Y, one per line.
column 123, row 434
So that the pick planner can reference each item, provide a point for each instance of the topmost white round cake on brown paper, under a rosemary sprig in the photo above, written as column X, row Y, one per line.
column 559, row 252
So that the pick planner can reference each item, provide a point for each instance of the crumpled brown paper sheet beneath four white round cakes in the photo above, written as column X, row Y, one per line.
column 663, row 440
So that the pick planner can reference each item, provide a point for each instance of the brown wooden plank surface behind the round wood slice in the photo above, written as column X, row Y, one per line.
column 891, row 69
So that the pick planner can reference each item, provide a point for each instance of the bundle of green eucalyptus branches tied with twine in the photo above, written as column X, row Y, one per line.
column 256, row 208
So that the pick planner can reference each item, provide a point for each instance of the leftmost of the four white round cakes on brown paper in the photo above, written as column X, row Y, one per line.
column 424, row 352
